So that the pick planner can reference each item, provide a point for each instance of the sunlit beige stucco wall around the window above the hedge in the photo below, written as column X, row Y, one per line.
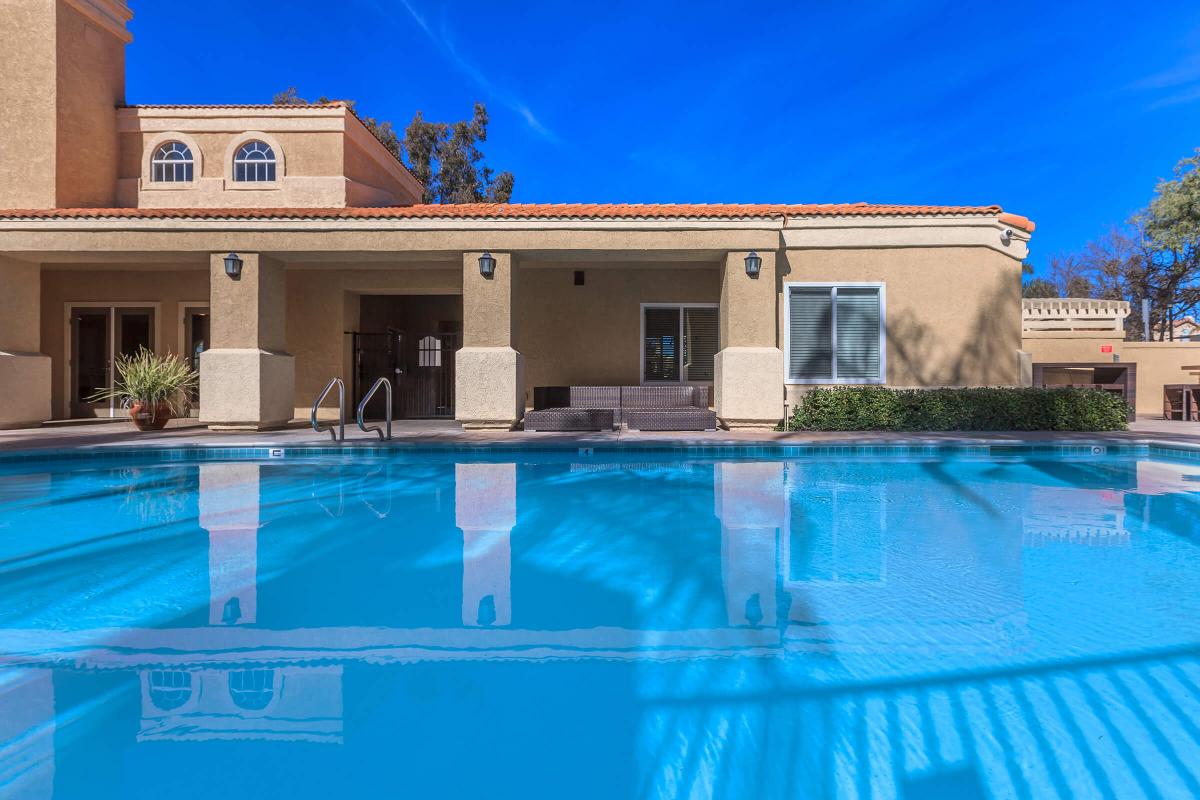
column 953, row 315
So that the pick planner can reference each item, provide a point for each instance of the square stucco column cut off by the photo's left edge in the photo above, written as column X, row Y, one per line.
column 25, row 371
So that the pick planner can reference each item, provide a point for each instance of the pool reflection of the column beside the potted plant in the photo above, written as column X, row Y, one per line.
column 230, row 512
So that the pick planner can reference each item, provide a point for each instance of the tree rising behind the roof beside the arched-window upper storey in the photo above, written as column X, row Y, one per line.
column 443, row 157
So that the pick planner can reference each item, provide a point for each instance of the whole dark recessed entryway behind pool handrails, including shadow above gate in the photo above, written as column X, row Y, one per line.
column 411, row 340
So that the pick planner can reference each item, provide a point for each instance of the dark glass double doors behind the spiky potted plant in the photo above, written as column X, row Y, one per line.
column 99, row 336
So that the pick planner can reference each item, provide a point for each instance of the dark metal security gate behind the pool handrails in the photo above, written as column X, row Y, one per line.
column 421, row 368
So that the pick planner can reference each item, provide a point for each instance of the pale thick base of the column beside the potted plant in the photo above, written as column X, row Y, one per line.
column 247, row 390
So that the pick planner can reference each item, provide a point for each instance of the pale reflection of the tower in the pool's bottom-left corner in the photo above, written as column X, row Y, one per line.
column 27, row 733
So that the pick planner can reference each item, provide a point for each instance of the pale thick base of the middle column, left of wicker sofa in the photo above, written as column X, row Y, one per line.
column 489, row 388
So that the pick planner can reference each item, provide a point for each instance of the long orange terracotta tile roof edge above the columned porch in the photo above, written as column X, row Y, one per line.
column 538, row 212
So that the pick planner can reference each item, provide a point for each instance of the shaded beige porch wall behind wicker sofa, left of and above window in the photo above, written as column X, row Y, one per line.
column 592, row 334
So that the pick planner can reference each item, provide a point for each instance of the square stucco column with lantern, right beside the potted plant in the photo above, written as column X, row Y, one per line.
column 248, row 380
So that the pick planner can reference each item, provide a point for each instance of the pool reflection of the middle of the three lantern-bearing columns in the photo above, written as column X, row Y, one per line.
column 487, row 512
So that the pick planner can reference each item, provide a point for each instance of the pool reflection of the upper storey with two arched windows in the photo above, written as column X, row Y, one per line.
column 273, row 703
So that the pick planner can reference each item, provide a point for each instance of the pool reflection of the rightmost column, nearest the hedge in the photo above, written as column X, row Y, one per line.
column 752, row 504
